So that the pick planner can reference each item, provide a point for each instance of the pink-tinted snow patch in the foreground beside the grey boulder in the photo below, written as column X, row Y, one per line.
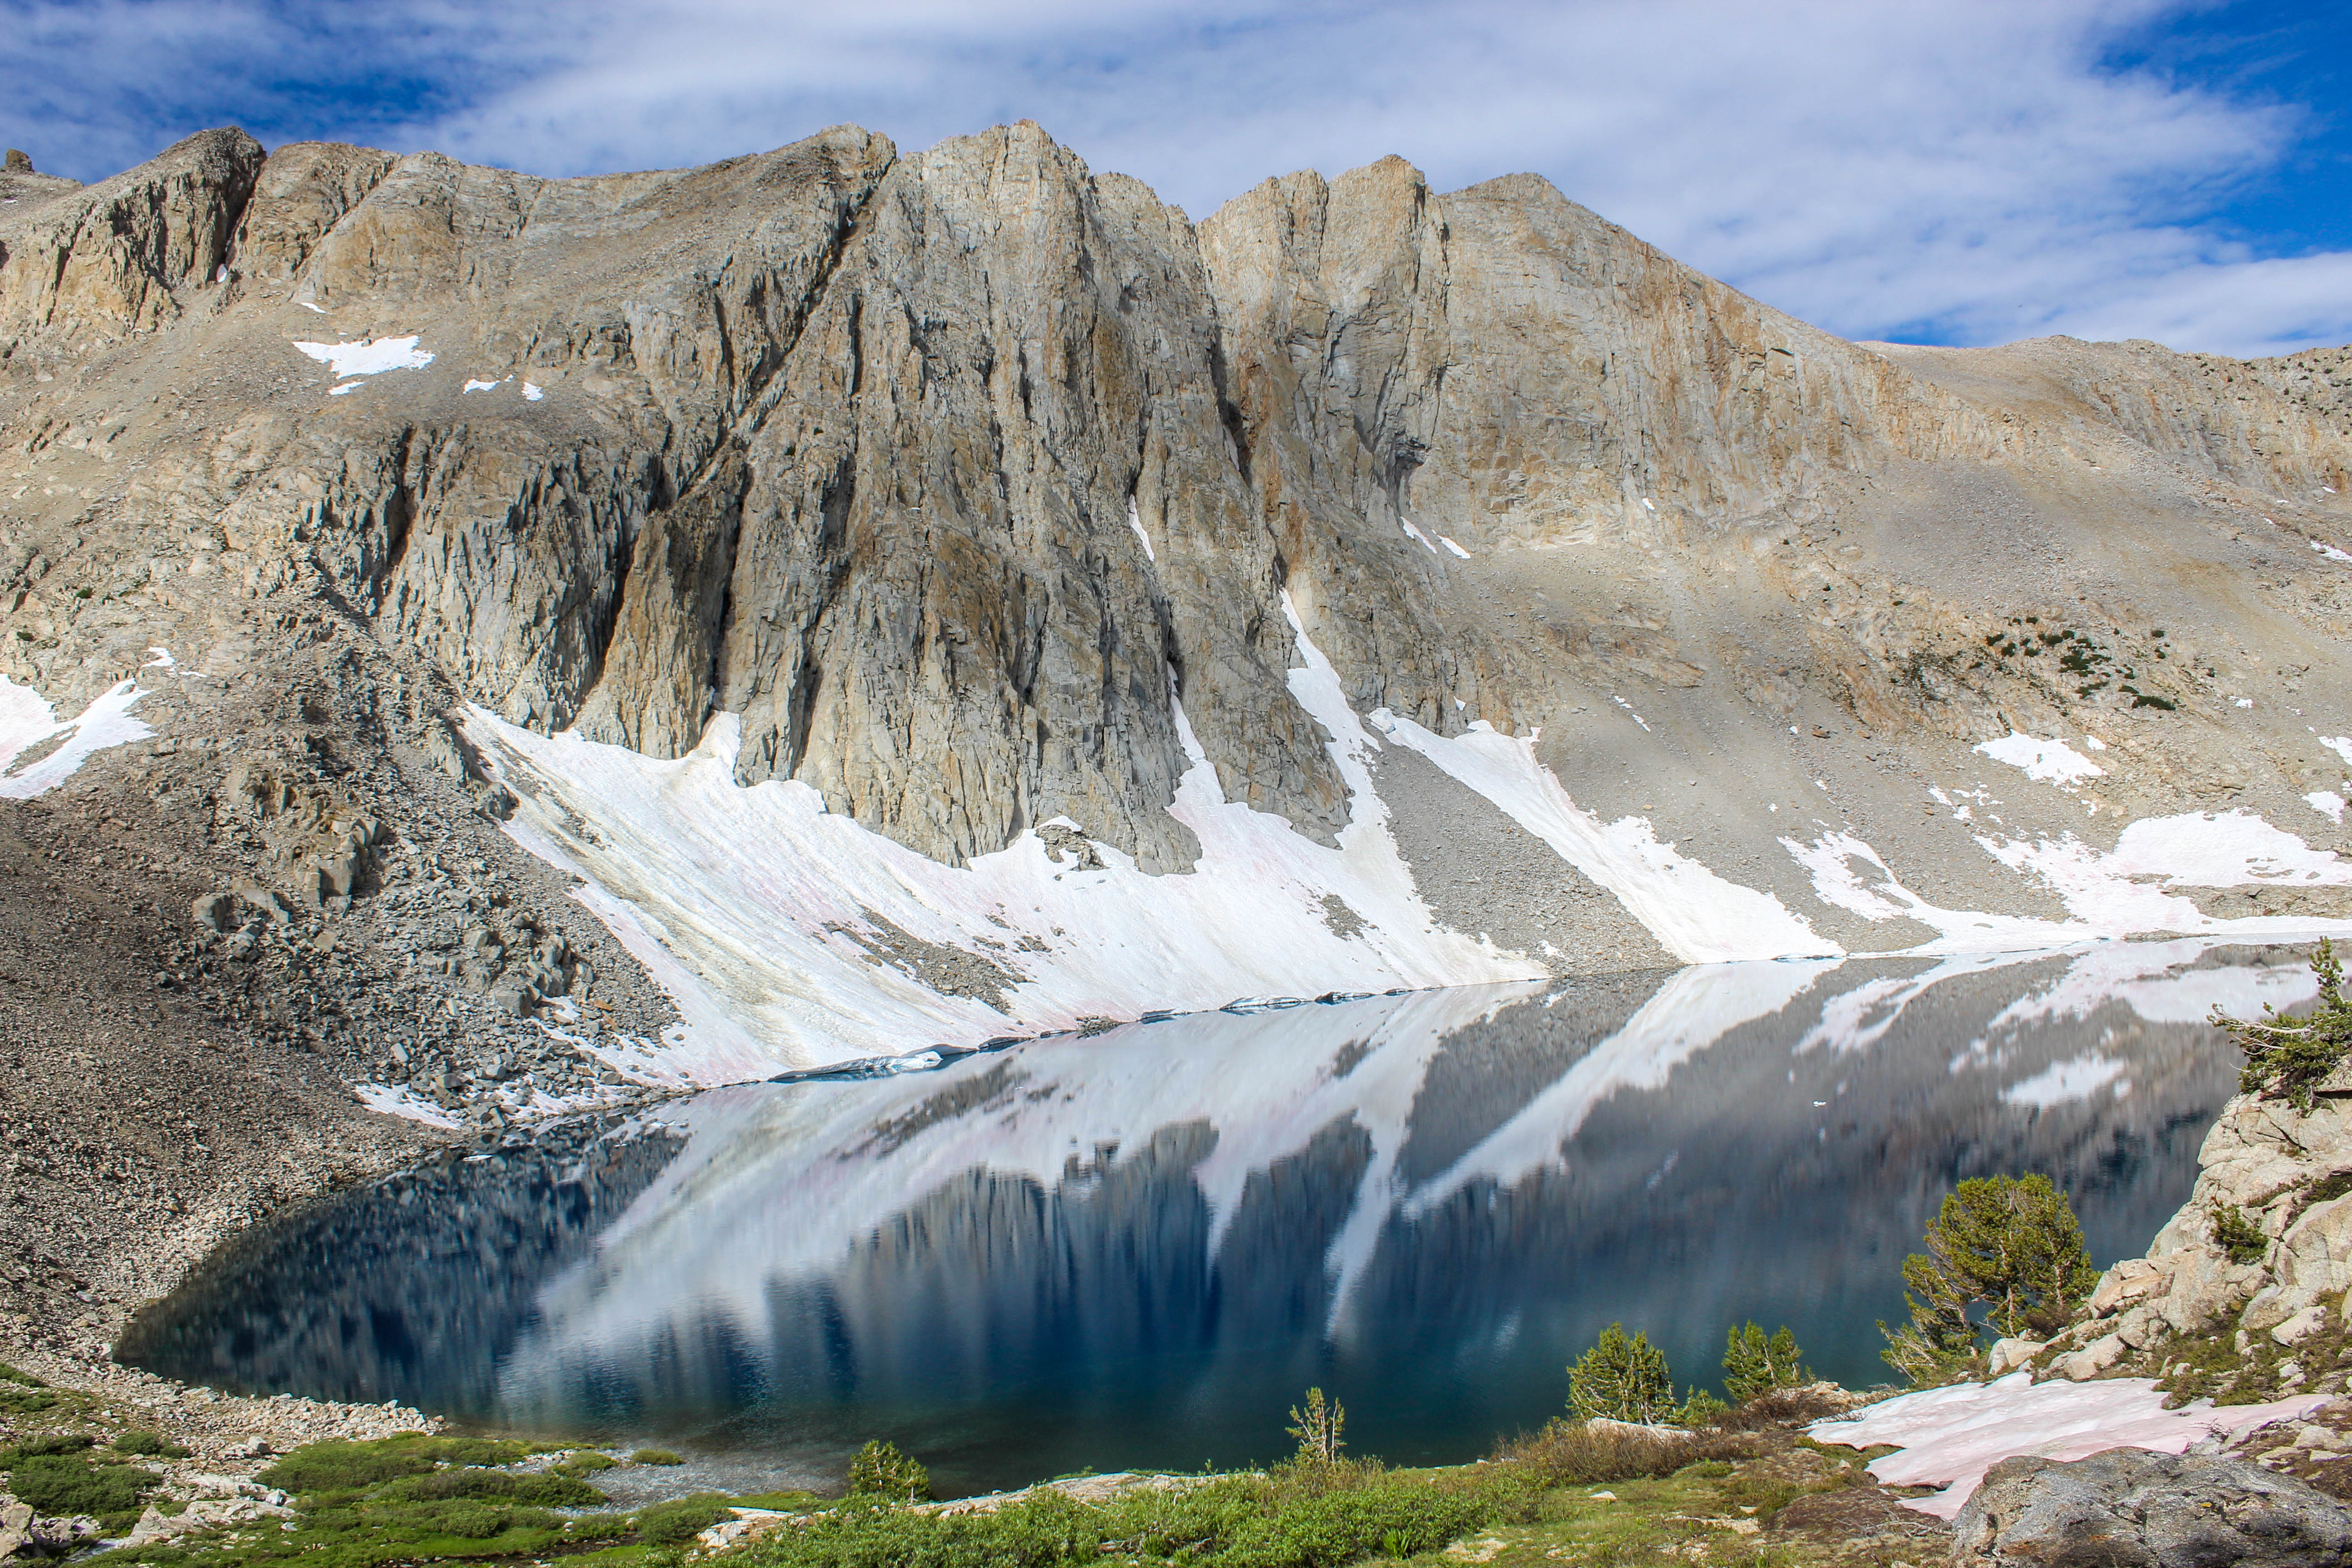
column 1951, row 1438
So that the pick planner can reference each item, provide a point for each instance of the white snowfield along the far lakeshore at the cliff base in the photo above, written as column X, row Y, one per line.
column 794, row 939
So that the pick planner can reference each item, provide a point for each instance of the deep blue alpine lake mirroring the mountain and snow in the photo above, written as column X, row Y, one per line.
column 1142, row 1247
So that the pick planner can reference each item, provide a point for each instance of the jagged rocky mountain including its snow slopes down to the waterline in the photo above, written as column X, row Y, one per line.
column 1553, row 605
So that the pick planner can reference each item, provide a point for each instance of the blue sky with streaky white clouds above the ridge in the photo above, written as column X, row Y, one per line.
column 1913, row 170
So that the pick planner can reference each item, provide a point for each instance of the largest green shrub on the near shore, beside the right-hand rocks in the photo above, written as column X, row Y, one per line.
column 2007, row 1242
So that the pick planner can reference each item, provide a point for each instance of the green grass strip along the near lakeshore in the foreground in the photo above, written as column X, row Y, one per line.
column 1568, row 1494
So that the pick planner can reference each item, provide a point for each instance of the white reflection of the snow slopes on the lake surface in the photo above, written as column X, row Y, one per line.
column 784, row 1186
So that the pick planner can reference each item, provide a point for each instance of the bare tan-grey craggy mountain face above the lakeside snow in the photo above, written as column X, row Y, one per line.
column 961, row 485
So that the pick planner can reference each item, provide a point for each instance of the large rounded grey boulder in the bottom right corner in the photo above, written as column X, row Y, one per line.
column 2130, row 1508
